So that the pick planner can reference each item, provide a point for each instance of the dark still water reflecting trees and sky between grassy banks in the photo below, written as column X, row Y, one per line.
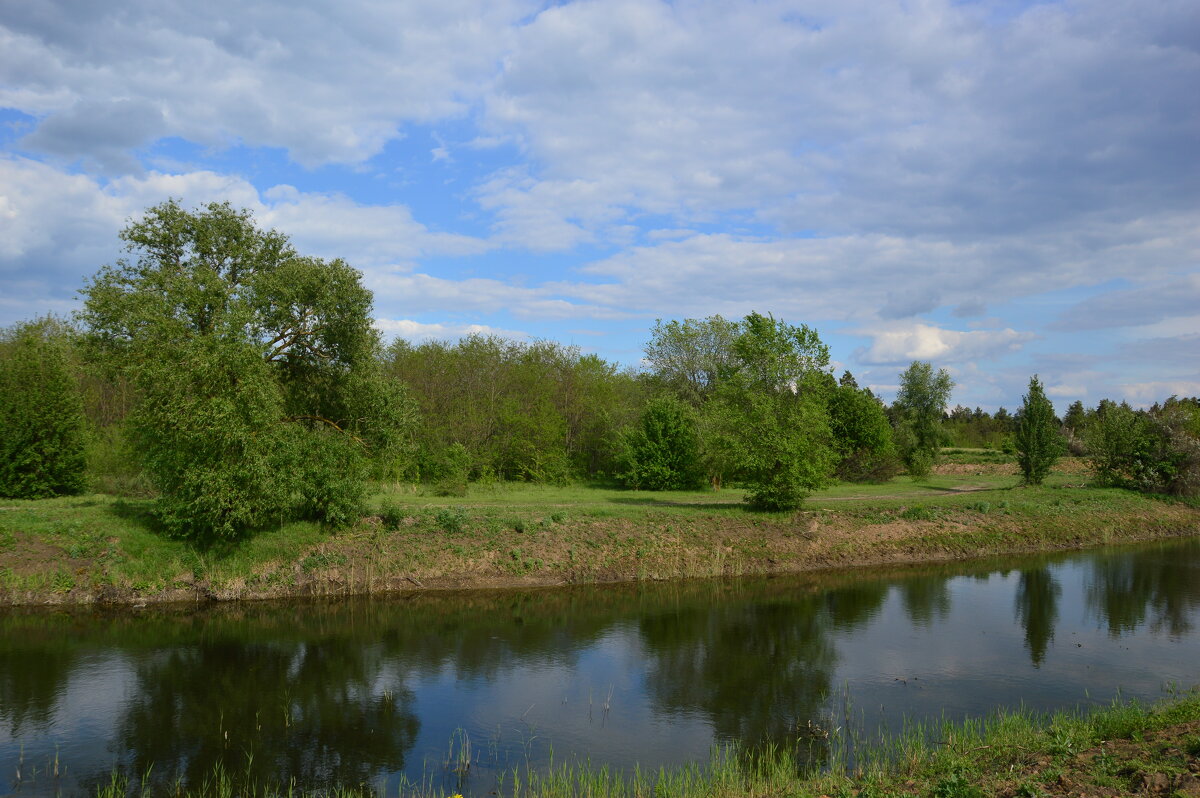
column 376, row 691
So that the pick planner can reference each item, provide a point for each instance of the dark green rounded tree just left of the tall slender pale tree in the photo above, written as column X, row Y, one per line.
column 862, row 435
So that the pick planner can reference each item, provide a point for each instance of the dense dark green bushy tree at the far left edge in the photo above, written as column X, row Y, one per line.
column 43, row 443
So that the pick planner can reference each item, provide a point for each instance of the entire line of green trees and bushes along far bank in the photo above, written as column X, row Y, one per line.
column 242, row 385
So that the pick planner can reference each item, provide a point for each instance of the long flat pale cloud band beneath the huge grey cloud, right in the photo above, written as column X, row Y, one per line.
column 844, row 278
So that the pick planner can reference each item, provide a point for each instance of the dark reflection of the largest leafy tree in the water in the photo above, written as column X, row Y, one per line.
column 319, row 712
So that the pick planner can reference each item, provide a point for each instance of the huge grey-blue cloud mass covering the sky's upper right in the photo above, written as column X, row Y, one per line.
column 934, row 118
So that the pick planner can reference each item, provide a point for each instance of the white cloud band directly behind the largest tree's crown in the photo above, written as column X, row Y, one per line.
column 58, row 229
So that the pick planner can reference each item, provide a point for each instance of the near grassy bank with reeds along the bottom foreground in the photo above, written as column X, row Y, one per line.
column 1121, row 751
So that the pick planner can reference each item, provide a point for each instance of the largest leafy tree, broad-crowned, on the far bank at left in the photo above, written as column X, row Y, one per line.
column 260, row 391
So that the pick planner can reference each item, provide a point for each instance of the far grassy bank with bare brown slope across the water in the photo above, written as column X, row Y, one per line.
column 81, row 550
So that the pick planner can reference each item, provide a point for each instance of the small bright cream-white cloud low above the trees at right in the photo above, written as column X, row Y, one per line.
column 907, row 343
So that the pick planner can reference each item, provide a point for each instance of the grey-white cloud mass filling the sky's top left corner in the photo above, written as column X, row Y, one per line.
column 331, row 83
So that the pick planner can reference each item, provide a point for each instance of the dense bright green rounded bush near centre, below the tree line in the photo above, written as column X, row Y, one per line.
column 663, row 452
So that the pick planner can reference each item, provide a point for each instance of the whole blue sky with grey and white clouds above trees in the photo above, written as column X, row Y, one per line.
column 999, row 188
